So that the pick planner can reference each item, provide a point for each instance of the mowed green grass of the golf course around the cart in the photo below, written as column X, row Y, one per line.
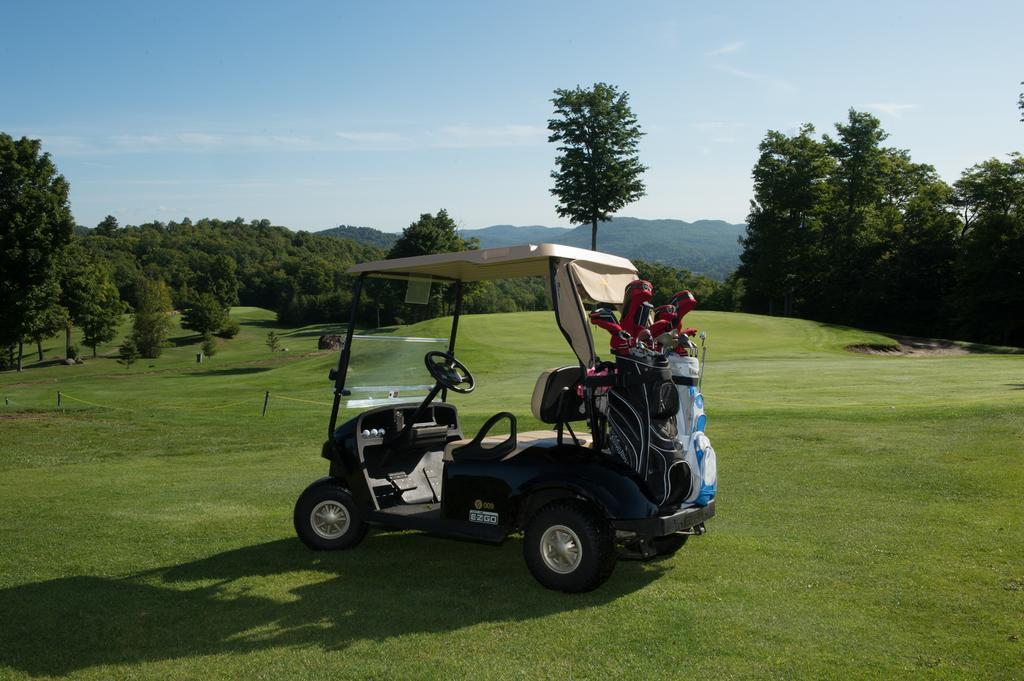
column 870, row 524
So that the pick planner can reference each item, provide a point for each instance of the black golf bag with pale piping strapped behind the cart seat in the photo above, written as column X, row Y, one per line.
column 643, row 407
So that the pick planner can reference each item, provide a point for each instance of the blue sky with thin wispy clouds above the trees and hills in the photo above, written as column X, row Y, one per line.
column 318, row 114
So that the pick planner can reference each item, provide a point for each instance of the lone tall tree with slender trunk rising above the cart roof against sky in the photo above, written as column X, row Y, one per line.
column 599, row 171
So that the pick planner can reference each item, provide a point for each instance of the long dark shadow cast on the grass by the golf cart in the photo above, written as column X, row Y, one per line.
column 281, row 595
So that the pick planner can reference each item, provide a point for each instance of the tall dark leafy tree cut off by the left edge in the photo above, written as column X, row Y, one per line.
column 35, row 224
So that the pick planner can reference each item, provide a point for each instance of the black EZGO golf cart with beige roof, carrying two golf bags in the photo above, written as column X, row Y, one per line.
column 580, row 505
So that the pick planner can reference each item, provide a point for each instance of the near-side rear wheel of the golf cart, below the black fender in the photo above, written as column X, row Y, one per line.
column 581, row 547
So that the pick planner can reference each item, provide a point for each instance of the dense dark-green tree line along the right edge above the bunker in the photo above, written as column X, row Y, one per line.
column 845, row 230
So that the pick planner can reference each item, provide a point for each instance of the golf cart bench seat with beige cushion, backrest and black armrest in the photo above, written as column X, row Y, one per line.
column 554, row 402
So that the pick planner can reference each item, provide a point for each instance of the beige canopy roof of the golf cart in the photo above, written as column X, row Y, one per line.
column 602, row 277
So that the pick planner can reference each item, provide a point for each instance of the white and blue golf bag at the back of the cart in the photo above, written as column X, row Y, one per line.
column 691, row 423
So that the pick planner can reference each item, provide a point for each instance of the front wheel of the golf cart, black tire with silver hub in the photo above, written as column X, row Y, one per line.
column 327, row 519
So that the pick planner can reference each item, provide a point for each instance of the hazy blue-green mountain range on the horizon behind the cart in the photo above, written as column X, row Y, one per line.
column 705, row 247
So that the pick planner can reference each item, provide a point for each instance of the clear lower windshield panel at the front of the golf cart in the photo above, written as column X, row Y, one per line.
column 387, row 369
